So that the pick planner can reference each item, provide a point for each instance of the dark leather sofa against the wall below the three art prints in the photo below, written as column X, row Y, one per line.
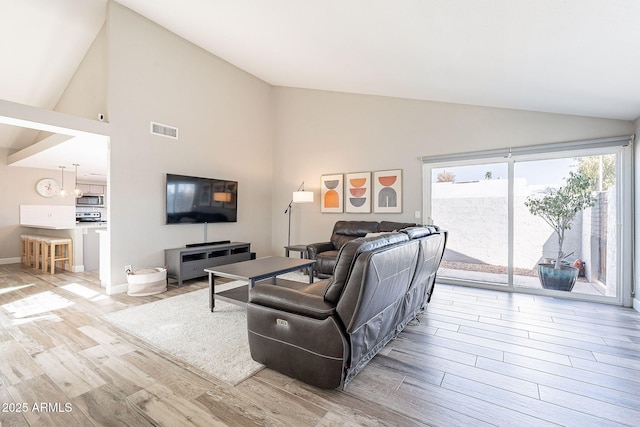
column 325, row 253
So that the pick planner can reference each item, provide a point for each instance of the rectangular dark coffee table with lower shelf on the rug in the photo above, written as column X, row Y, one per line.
column 253, row 271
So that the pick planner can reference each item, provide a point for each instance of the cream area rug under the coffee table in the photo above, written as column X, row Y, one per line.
column 184, row 327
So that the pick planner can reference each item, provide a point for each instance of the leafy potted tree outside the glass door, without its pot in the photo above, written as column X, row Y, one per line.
column 559, row 207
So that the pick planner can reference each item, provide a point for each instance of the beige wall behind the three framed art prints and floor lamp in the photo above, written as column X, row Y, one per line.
column 326, row 132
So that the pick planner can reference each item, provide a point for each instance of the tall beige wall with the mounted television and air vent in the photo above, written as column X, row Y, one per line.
column 225, row 126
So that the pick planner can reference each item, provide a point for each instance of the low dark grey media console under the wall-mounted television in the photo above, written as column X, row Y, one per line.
column 190, row 262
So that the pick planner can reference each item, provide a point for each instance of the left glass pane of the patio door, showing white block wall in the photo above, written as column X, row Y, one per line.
column 471, row 202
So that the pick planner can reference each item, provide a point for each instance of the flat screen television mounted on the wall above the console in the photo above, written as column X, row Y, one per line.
column 195, row 200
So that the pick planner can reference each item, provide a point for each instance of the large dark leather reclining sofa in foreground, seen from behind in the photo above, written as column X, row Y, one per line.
column 326, row 332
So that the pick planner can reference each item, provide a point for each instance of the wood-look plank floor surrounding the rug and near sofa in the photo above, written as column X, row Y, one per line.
column 476, row 357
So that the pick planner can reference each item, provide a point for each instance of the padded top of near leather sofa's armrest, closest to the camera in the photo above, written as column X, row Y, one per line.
column 291, row 300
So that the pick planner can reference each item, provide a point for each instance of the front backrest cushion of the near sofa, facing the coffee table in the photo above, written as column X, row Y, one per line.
column 347, row 255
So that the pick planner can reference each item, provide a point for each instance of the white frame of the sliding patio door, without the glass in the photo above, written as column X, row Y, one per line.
column 622, row 147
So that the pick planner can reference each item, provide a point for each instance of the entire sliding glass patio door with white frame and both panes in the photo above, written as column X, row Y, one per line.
column 497, row 238
